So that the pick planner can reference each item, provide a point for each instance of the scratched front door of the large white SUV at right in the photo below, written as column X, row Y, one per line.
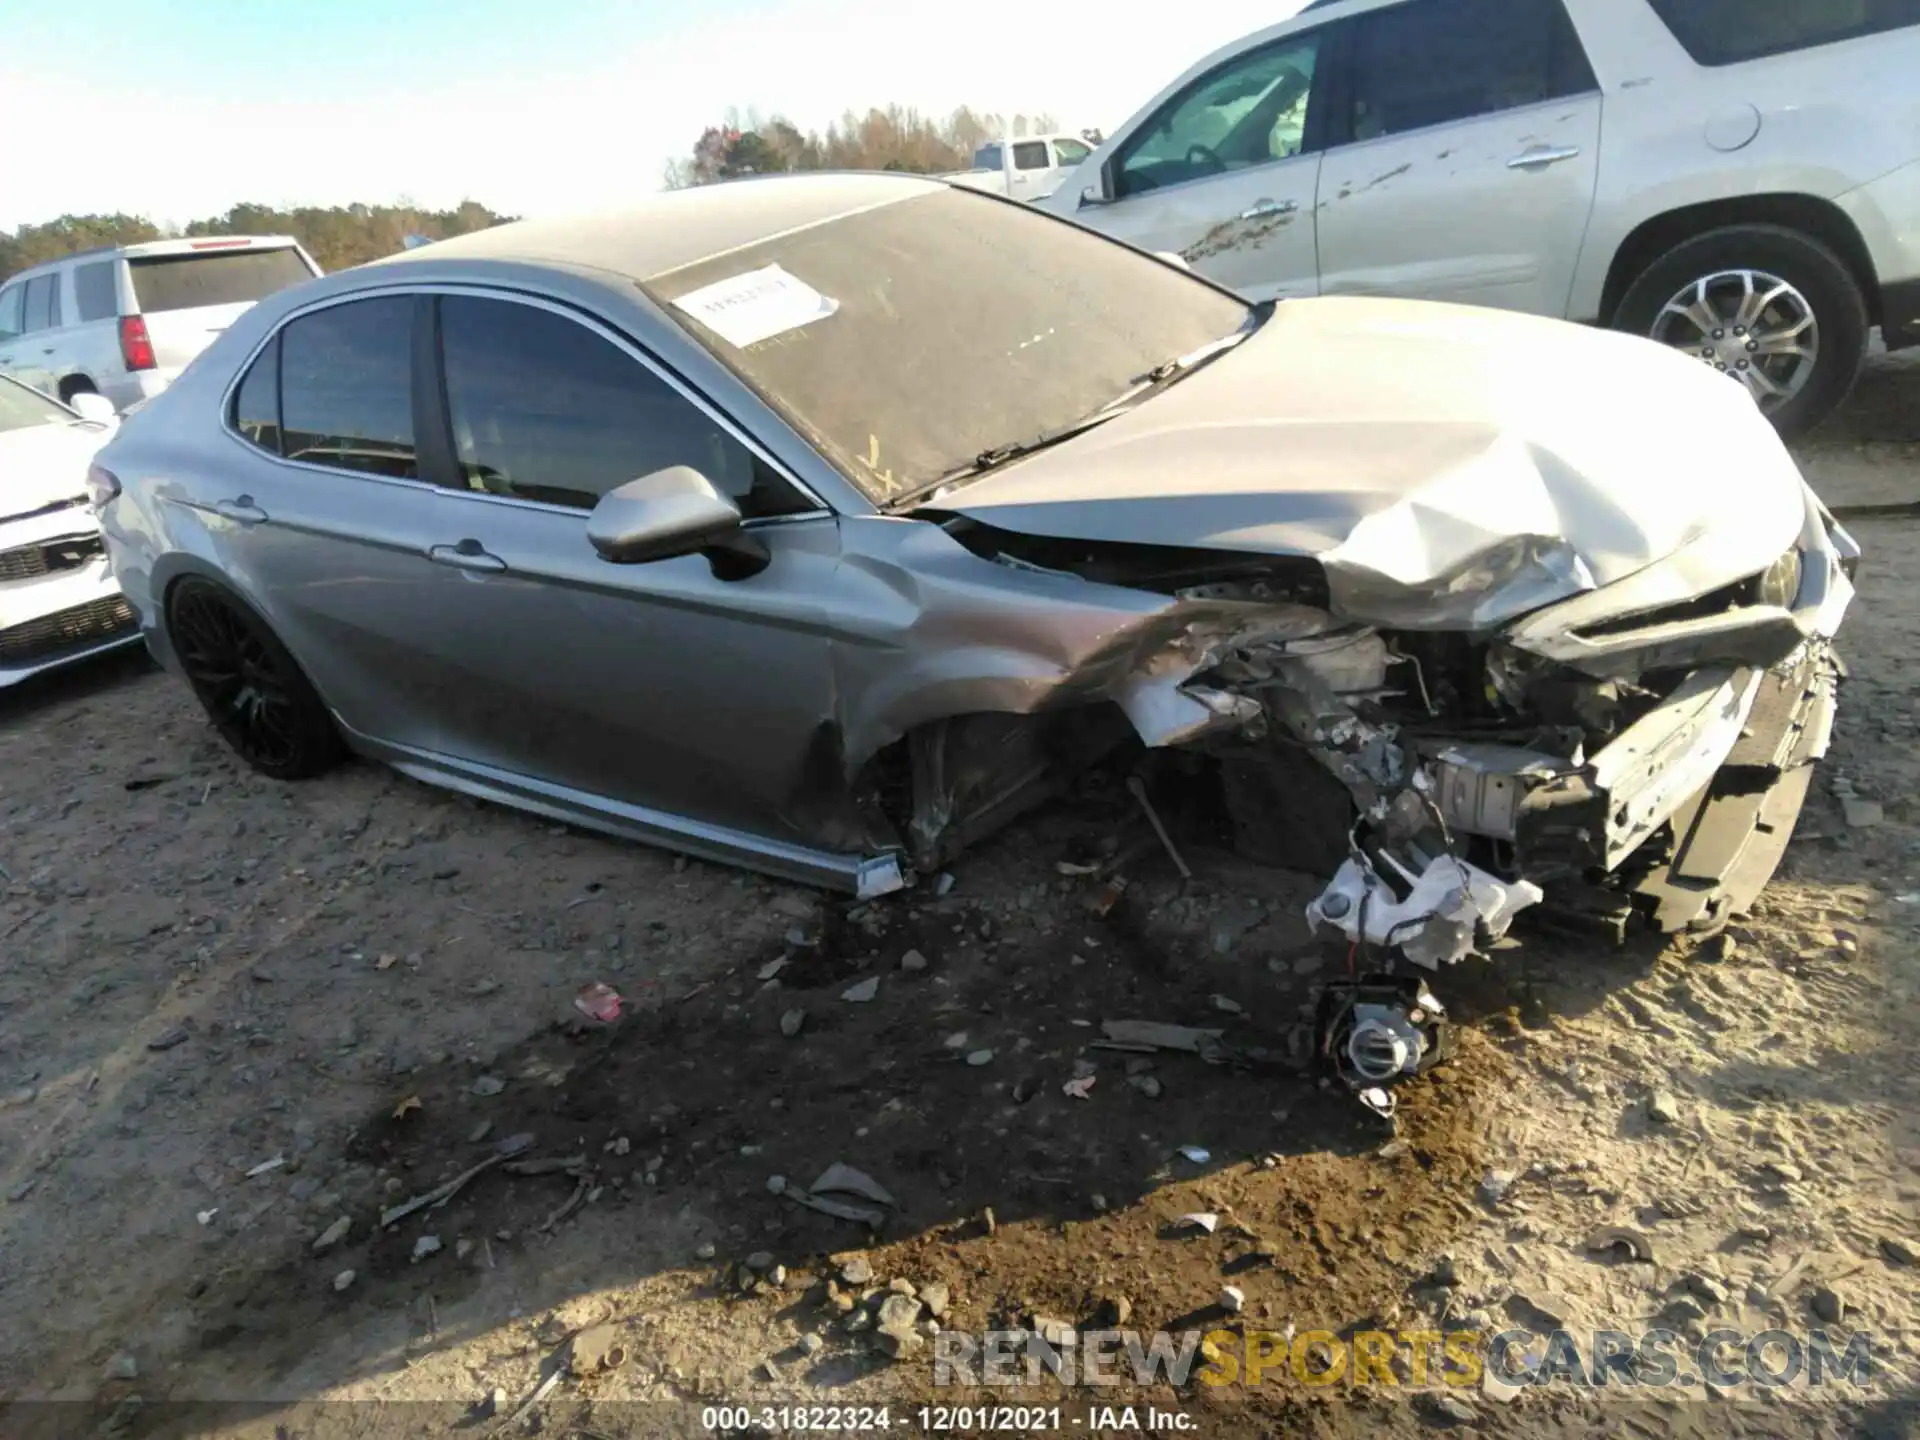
column 1224, row 174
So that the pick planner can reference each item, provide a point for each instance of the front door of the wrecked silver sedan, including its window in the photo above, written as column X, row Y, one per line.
column 654, row 684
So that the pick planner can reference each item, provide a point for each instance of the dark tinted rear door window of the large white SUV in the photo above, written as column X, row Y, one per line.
column 1439, row 62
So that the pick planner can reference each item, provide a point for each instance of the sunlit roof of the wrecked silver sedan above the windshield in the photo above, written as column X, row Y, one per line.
column 677, row 229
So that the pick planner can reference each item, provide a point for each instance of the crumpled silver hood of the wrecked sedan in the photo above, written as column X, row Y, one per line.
column 1451, row 468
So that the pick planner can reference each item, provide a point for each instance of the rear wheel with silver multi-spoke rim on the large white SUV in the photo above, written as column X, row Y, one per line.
column 1773, row 254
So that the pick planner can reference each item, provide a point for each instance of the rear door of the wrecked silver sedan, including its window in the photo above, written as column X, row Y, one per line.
column 327, row 525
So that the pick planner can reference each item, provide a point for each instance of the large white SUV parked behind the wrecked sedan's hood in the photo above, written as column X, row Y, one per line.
column 1739, row 180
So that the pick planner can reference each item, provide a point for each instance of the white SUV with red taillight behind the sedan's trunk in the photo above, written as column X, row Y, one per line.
column 124, row 322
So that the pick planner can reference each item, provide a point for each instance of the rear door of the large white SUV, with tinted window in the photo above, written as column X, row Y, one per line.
column 1464, row 149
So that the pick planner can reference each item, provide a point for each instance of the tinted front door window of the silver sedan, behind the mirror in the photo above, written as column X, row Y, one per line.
column 552, row 412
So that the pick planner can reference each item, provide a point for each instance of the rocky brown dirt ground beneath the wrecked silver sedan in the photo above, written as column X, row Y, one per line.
column 237, row 1015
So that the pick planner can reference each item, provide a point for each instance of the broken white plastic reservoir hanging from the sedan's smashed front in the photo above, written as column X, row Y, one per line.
column 1441, row 919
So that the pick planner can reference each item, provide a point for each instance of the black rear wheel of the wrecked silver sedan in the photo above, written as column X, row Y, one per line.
column 249, row 684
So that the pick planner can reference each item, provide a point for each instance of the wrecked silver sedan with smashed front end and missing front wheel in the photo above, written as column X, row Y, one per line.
column 827, row 523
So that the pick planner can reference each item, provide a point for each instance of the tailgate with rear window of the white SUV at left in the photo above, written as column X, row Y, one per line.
column 191, row 297
